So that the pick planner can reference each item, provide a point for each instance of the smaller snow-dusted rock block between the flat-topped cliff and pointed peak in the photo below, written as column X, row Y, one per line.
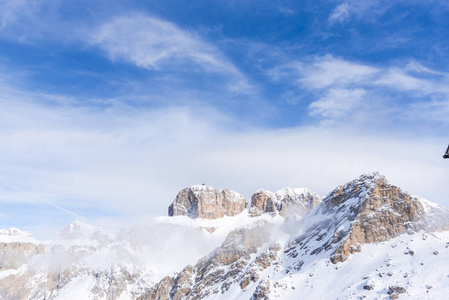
column 284, row 202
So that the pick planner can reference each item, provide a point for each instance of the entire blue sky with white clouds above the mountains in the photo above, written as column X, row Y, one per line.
column 108, row 108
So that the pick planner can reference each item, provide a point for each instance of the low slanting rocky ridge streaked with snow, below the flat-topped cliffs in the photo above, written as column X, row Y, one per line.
column 232, row 263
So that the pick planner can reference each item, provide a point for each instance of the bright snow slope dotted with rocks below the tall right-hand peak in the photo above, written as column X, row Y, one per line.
column 425, row 275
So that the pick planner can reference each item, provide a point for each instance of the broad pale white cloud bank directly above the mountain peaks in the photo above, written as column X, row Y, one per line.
column 132, row 162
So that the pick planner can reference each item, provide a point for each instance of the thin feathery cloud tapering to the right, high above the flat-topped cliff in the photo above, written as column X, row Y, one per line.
column 152, row 43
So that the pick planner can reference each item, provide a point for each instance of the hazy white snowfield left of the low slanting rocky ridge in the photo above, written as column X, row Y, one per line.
column 158, row 248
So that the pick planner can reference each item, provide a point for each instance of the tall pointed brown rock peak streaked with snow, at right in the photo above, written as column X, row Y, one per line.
column 366, row 210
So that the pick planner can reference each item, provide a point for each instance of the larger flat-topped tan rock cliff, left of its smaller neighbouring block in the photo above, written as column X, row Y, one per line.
column 202, row 201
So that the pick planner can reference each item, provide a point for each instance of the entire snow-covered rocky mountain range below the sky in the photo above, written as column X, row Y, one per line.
column 365, row 239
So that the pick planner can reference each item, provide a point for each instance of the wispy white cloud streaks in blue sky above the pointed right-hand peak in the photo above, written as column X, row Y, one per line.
column 343, row 88
